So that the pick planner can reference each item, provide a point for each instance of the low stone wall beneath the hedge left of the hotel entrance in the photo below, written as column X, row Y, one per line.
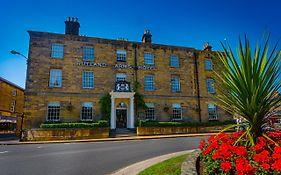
column 65, row 134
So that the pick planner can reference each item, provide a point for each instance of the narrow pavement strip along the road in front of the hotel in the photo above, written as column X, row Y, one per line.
column 18, row 142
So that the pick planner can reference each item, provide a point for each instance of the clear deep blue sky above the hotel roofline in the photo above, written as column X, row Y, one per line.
column 174, row 22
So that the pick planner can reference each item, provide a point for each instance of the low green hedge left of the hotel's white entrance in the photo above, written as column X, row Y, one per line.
column 99, row 124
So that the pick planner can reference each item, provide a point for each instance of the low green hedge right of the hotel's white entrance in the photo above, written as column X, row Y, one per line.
column 143, row 123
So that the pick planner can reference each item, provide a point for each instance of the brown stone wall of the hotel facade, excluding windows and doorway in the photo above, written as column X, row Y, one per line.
column 105, row 67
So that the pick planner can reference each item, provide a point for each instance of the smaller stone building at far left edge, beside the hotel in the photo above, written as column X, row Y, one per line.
column 11, row 105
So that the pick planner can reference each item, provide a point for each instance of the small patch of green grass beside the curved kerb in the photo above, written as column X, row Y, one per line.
column 168, row 167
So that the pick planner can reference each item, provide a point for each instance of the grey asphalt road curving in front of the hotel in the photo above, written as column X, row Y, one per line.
column 91, row 158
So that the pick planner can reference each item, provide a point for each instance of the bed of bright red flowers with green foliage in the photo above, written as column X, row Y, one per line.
column 223, row 154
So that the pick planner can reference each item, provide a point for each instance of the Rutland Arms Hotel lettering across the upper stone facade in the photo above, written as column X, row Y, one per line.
column 115, row 66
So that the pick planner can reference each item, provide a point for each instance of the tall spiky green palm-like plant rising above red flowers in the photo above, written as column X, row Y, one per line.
column 248, row 84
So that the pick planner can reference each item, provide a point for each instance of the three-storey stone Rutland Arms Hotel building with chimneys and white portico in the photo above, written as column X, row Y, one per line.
column 68, row 74
